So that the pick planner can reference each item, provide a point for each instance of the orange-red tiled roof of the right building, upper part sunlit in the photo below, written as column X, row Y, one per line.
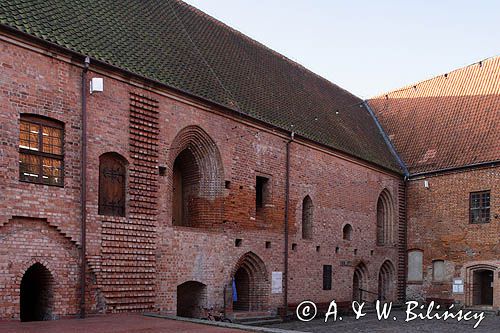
column 452, row 120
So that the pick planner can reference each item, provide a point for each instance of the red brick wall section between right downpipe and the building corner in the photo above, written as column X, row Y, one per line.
column 342, row 193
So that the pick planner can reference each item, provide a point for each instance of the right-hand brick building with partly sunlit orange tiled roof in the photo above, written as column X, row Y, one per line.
column 447, row 131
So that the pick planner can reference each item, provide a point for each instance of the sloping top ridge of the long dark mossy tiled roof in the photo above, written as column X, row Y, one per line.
column 259, row 44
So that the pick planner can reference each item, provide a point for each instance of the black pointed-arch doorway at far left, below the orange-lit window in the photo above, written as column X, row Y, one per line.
column 36, row 294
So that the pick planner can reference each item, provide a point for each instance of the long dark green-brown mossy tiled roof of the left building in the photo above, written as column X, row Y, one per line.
column 174, row 43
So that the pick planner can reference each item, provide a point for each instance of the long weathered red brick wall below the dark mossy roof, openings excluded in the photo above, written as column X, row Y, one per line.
column 136, row 262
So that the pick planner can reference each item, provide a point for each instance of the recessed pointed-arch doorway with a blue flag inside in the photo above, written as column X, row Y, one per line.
column 251, row 284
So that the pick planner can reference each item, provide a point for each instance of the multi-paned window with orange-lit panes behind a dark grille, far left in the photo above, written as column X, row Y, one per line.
column 41, row 156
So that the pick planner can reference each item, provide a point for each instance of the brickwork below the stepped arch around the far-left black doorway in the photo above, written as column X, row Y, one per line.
column 29, row 241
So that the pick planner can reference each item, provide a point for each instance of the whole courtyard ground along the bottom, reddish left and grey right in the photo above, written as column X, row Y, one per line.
column 136, row 323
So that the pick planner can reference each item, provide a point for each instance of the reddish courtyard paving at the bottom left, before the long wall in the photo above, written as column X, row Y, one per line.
column 111, row 324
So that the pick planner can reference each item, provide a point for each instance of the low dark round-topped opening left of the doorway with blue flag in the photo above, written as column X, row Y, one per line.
column 191, row 299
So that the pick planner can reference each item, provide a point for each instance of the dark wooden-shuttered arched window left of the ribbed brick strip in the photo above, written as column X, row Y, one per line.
column 112, row 184
